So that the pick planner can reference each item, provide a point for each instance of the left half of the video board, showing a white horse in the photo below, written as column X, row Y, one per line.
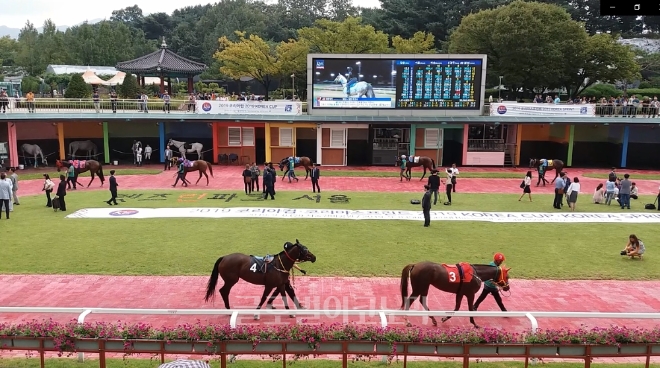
column 351, row 83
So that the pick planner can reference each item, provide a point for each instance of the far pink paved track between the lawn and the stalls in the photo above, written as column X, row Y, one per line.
column 229, row 178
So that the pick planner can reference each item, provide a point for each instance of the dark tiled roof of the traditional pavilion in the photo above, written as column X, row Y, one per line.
column 162, row 61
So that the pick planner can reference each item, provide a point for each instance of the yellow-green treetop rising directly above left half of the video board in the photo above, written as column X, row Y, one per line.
column 347, row 37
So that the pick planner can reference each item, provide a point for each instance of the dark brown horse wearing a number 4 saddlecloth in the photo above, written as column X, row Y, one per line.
column 236, row 266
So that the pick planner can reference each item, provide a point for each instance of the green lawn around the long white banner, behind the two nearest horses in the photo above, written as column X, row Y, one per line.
column 39, row 241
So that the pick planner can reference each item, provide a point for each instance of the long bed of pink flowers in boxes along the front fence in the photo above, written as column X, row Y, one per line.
column 319, row 339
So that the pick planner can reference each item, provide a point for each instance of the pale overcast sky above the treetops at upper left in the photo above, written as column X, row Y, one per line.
column 14, row 13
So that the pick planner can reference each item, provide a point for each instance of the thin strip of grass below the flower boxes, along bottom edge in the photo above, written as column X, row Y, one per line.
column 146, row 363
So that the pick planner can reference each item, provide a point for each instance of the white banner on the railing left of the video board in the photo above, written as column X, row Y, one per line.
column 250, row 107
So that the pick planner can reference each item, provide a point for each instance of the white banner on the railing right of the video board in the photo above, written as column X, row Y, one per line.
column 543, row 109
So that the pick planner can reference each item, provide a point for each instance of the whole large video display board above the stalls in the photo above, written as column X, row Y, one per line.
column 413, row 84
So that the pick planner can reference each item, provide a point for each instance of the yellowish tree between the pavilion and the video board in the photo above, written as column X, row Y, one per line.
column 253, row 57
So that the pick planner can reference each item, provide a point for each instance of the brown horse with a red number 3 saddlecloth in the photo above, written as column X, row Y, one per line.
column 463, row 279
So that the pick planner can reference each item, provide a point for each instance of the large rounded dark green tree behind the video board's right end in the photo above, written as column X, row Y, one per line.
column 534, row 46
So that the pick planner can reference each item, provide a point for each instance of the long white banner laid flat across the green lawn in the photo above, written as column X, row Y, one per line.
column 308, row 213
